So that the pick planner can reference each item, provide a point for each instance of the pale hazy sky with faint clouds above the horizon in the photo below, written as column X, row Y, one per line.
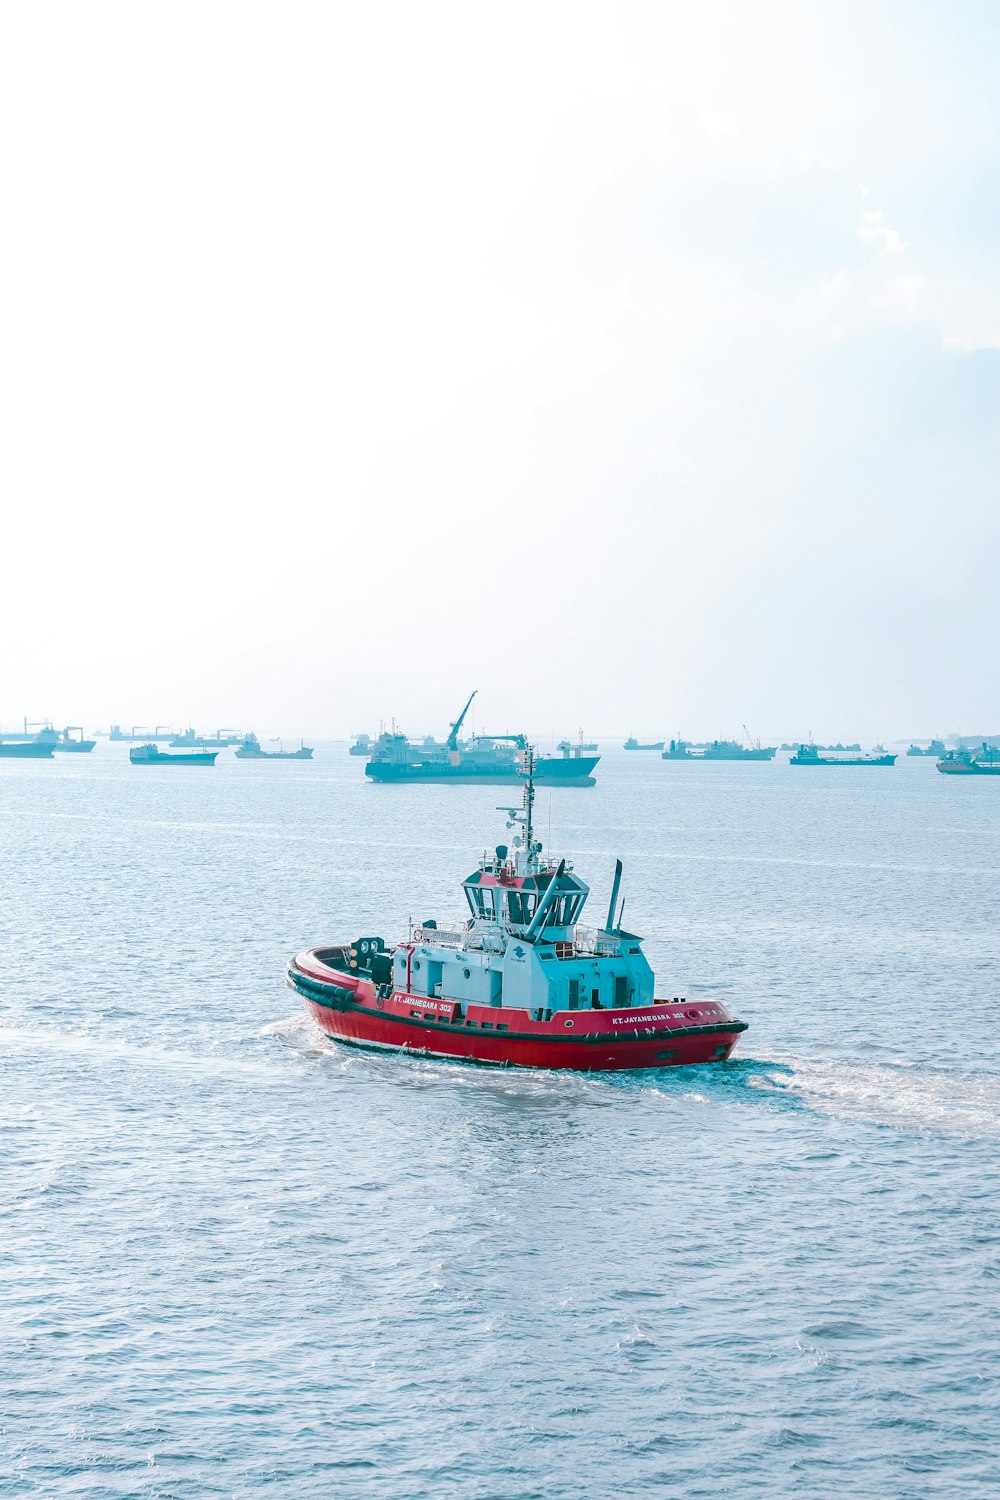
column 638, row 365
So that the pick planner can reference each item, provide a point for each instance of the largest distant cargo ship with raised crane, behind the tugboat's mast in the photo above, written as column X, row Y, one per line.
column 494, row 760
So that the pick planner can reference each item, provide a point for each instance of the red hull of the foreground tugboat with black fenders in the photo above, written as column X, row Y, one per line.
column 663, row 1036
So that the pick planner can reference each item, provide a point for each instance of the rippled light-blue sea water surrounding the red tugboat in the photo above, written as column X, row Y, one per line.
column 238, row 1259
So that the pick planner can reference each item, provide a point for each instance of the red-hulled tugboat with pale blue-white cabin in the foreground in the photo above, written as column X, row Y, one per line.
column 519, row 985
